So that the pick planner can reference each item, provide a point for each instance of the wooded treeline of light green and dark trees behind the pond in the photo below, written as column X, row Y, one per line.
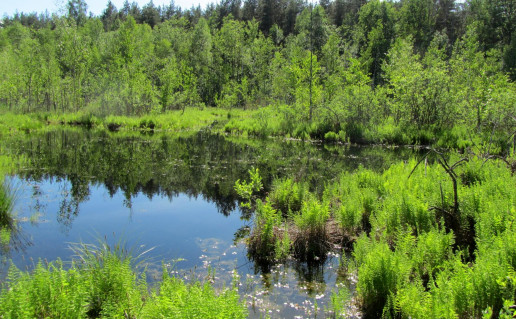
column 343, row 64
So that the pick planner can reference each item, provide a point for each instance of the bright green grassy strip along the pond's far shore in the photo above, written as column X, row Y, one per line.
column 275, row 120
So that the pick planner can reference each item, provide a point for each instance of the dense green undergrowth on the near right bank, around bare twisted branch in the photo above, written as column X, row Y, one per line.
column 428, row 240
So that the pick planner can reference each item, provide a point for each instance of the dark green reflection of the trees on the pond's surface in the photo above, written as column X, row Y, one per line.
column 204, row 164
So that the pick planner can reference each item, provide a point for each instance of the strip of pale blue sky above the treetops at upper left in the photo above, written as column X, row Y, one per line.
column 9, row 7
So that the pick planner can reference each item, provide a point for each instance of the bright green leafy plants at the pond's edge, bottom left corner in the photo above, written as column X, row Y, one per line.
column 108, row 282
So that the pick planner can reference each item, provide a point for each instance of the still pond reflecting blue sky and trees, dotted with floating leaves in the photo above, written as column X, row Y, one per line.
column 175, row 194
